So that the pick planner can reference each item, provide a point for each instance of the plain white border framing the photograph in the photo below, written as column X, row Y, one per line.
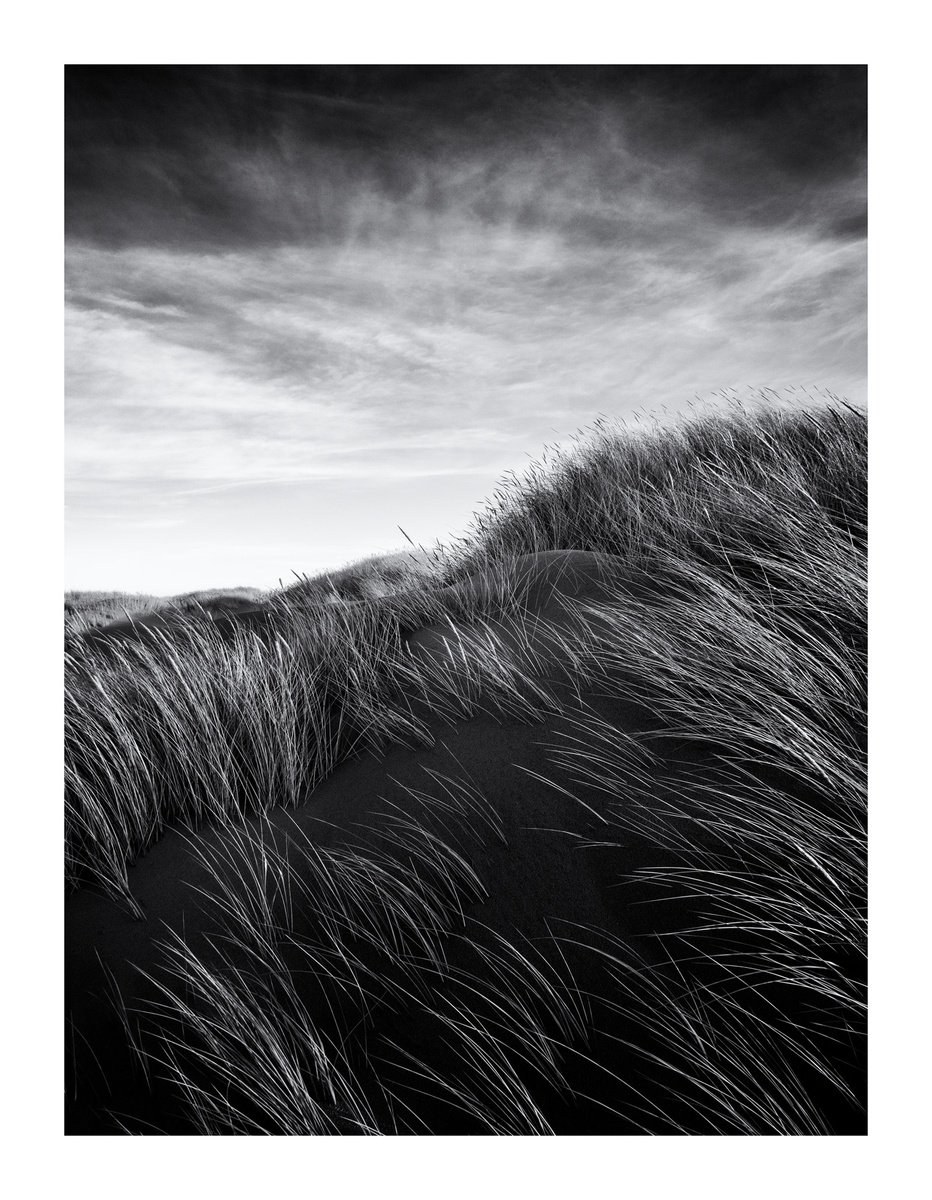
column 39, row 43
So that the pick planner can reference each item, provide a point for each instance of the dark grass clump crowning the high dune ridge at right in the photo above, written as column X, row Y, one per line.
column 723, row 491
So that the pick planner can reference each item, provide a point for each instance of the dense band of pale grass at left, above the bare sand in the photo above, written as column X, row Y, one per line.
column 205, row 722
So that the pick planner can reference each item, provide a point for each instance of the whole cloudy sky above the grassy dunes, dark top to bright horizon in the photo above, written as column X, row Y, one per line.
column 306, row 307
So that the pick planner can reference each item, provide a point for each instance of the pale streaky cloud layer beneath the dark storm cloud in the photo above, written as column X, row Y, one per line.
column 275, row 361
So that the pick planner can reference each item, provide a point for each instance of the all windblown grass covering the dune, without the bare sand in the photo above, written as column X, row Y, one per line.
column 742, row 627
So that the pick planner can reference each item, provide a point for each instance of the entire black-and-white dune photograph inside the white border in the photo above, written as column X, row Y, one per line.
column 466, row 601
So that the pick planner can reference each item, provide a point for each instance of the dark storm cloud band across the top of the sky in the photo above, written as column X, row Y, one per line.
column 230, row 157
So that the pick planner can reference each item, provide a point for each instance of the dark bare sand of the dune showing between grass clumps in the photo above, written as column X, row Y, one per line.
column 546, row 871
